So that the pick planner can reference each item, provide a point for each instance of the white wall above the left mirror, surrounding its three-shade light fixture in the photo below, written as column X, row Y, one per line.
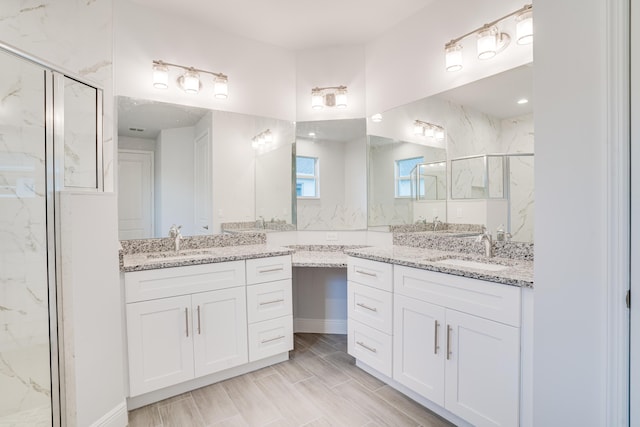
column 261, row 76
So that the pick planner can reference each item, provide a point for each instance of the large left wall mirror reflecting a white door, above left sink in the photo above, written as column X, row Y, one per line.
column 200, row 169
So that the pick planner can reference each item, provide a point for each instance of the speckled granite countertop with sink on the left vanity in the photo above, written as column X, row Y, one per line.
column 166, row 259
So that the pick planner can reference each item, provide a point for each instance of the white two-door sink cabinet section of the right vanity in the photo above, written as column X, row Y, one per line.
column 457, row 343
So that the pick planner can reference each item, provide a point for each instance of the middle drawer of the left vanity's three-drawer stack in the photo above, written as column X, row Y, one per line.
column 269, row 300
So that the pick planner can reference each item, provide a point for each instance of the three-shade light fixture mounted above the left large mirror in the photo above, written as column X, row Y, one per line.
column 189, row 80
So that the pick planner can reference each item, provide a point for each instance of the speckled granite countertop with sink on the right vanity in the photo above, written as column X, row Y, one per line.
column 516, row 273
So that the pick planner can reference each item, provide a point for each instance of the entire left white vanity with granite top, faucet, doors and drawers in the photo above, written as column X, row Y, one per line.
column 203, row 315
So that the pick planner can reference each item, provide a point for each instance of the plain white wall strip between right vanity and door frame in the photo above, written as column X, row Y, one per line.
column 570, row 313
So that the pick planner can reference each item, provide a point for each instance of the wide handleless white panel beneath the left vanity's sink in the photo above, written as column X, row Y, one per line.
column 167, row 282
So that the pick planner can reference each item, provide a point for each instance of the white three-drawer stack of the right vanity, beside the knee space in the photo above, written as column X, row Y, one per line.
column 369, row 313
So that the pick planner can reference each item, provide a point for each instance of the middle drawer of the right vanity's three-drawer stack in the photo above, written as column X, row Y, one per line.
column 370, row 306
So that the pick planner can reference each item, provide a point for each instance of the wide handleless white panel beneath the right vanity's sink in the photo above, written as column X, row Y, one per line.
column 493, row 301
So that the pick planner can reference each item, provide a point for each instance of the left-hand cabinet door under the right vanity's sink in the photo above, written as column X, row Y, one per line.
column 418, row 347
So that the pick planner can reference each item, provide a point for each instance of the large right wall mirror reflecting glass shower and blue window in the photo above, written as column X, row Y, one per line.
column 477, row 141
